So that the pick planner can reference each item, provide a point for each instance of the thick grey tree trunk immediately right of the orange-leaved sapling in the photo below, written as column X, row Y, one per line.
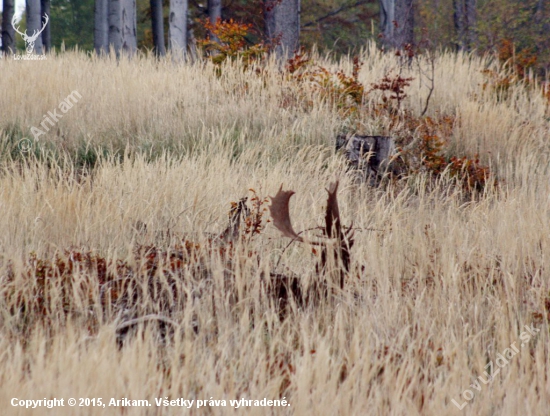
column 282, row 19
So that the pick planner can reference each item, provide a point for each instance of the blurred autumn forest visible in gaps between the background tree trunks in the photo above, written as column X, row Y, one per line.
column 507, row 27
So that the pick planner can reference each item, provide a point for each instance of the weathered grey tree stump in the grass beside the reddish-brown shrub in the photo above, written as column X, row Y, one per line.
column 372, row 155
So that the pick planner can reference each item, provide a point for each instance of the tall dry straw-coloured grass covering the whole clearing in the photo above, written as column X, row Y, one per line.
column 439, row 286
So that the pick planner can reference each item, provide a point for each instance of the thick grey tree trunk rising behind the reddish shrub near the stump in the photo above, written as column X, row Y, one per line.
column 397, row 23
